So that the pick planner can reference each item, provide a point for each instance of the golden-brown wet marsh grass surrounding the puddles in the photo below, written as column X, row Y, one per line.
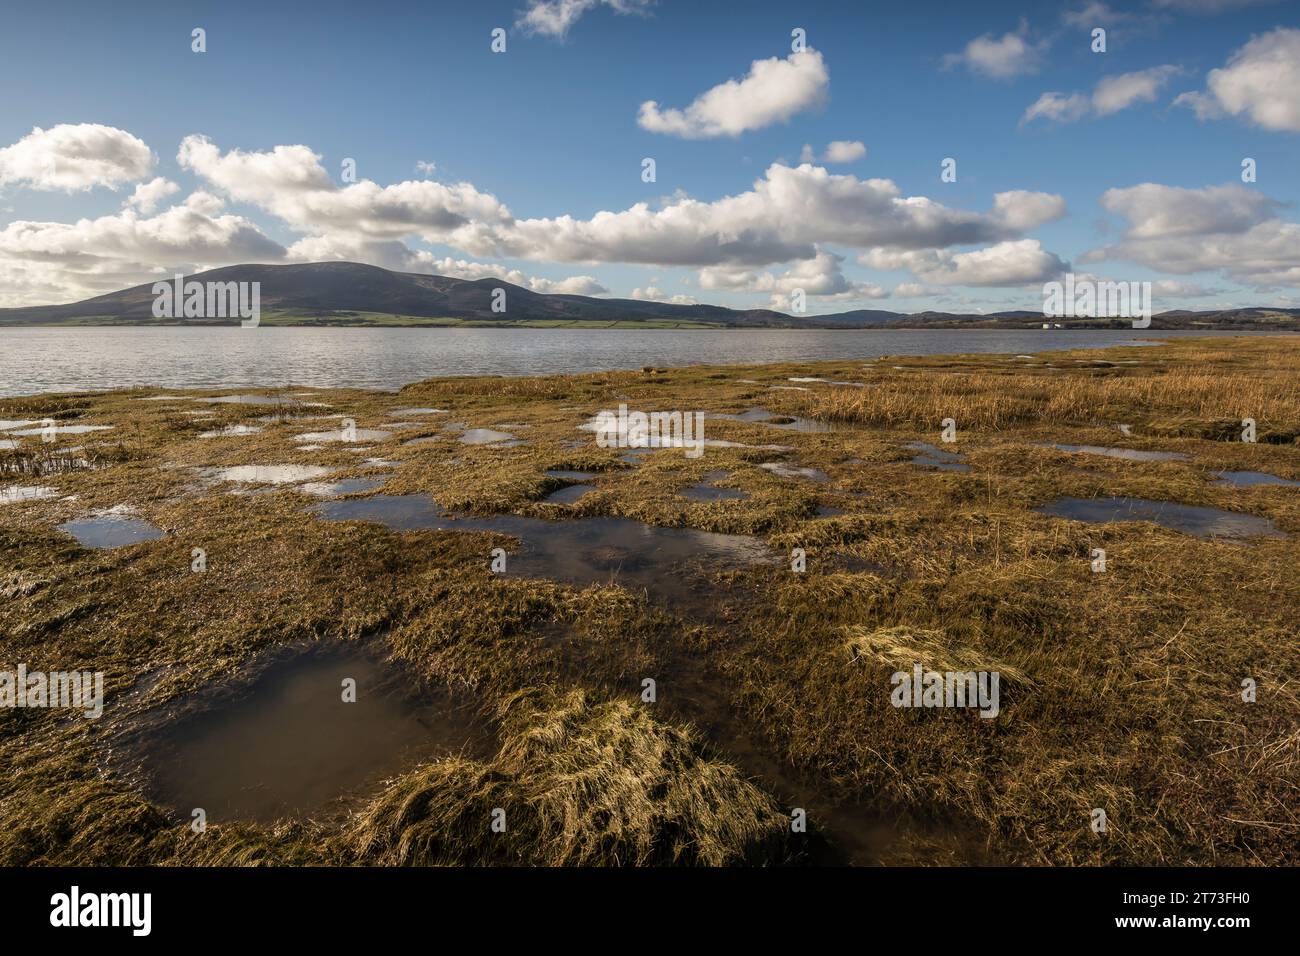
column 1121, row 691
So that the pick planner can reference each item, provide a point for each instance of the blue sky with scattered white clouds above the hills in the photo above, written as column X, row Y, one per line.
column 898, row 157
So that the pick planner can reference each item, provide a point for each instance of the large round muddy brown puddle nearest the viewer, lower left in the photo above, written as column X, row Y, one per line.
column 287, row 745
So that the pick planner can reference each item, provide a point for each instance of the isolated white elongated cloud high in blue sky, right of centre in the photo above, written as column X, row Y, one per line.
column 773, row 92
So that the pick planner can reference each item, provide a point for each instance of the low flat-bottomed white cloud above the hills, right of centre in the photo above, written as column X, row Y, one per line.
column 1004, row 265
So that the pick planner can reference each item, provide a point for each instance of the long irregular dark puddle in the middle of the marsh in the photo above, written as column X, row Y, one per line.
column 586, row 551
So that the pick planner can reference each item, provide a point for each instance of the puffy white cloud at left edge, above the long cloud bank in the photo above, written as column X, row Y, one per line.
column 76, row 158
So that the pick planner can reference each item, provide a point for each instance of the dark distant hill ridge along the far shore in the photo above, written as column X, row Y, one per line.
column 357, row 295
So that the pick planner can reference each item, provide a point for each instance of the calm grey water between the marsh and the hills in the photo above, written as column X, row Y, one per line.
column 34, row 361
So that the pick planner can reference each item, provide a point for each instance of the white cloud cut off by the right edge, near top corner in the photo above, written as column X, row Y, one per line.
column 1260, row 83
